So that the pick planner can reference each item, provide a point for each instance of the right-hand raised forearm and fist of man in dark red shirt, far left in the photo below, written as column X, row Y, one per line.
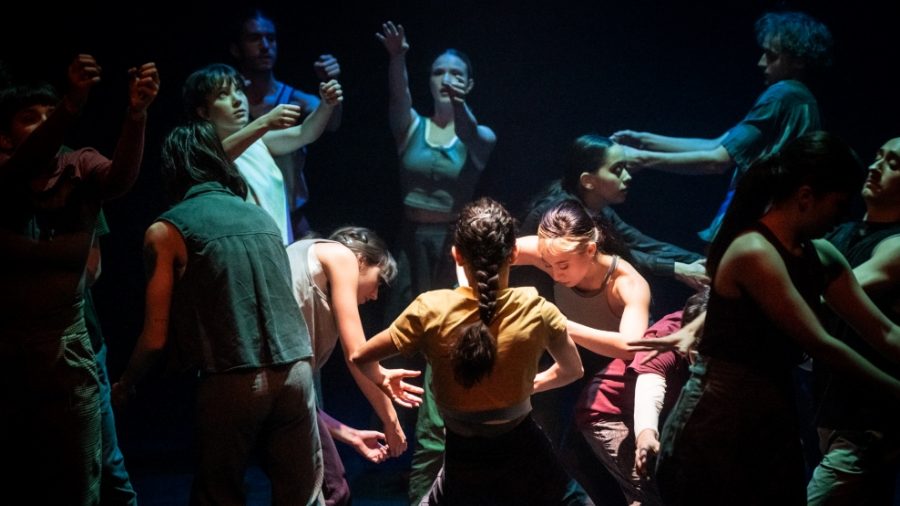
column 126, row 161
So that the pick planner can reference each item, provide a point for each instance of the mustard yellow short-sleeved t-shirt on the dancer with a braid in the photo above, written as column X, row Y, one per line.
column 524, row 324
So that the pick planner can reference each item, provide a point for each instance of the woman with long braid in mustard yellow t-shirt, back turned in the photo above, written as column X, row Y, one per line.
column 483, row 343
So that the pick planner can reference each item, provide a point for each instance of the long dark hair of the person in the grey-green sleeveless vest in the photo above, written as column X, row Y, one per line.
column 193, row 154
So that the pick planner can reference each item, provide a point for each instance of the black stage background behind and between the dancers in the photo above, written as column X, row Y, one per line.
column 545, row 73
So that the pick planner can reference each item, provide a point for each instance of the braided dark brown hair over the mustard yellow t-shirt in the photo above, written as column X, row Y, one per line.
column 485, row 236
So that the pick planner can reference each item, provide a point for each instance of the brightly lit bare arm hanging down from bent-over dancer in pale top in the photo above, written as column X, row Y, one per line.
column 342, row 270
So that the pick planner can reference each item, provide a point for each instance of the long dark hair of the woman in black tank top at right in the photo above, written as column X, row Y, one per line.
column 819, row 159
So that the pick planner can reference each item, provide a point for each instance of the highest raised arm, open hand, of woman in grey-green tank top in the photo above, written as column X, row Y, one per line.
column 400, row 111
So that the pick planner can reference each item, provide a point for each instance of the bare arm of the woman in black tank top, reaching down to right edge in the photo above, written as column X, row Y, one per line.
column 752, row 265
